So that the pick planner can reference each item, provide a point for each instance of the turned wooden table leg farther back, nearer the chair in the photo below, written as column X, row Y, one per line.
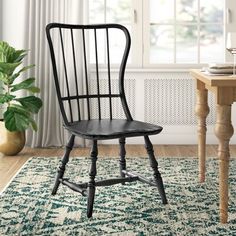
column 202, row 111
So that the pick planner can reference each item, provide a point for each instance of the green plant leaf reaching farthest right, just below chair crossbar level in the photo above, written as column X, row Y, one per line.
column 31, row 103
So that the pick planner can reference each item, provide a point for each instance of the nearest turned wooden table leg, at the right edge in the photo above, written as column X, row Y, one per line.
column 224, row 131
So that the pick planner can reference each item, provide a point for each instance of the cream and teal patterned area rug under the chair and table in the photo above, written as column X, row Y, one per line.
column 27, row 208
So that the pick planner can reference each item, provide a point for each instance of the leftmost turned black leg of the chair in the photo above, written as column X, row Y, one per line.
column 63, row 162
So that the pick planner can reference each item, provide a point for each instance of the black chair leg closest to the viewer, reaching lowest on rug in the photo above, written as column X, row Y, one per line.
column 91, row 183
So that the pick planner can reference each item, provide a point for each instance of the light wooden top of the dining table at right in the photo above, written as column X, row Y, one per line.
column 214, row 80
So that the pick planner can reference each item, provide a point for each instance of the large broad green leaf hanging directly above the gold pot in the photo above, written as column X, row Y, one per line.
column 16, row 118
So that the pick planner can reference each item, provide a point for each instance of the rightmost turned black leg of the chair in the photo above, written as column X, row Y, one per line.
column 154, row 165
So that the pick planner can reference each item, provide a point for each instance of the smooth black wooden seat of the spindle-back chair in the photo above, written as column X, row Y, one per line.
column 110, row 129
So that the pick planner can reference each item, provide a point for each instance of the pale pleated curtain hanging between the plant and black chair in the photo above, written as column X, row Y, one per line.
column 37, row 15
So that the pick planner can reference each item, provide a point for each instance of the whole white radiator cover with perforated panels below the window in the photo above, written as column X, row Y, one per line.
column 163, row 98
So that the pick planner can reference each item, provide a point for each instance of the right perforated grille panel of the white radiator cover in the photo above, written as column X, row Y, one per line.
column 171, row 101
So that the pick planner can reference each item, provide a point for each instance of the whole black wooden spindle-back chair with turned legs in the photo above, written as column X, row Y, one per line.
column 66, row 43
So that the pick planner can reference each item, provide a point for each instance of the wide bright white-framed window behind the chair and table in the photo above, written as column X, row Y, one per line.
column 168, row 32
